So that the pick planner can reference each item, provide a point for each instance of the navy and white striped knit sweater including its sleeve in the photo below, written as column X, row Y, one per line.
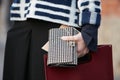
column 69, row 12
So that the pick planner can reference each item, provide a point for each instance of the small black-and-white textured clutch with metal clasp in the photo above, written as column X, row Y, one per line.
column 62, row 53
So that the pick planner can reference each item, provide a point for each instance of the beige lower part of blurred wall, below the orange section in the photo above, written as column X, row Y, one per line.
column 109, row 33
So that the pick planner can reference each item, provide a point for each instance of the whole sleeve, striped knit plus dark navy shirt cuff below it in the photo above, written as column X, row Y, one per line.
column 89, row 20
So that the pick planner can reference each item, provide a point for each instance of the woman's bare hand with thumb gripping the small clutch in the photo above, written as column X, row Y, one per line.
column 81, row 46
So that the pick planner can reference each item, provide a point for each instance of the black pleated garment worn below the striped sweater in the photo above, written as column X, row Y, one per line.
column 23, row 53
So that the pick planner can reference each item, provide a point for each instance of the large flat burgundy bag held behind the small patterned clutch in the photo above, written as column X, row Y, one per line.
column 94, row 66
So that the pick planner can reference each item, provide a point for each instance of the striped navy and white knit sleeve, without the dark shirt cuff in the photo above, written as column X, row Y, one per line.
column 89, row 12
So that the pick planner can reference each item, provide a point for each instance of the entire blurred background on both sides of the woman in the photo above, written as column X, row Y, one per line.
column 109, row 31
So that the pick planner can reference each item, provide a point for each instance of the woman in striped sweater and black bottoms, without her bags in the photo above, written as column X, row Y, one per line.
column 32, row 20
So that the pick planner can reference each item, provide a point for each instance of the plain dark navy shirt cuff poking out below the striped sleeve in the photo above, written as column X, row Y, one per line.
column 89, row 34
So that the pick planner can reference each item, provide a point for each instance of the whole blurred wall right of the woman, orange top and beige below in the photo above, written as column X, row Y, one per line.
column 109, row 31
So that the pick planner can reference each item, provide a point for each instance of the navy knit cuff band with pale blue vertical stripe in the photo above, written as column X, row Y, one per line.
column 89, row 18
